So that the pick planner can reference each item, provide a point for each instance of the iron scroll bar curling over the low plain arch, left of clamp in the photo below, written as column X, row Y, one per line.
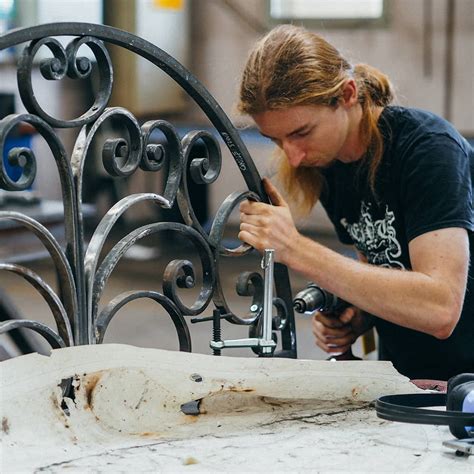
column 208, row 268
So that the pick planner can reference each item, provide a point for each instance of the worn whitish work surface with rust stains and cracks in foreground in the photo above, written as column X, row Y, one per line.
column 255, row 415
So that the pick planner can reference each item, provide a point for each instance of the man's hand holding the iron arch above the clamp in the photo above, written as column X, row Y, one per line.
column 265, row 226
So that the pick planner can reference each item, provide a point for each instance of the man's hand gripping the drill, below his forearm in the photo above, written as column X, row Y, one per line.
column 338, row 333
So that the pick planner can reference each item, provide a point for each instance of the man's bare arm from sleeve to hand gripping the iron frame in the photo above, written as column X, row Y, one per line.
column 428, row 298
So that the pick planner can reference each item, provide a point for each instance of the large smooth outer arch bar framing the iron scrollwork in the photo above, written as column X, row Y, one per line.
column 200, row 95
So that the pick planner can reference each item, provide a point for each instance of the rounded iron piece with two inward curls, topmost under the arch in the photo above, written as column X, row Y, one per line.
column 65, row 62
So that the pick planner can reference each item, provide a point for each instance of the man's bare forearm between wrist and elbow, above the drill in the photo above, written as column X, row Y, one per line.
column 407, row 298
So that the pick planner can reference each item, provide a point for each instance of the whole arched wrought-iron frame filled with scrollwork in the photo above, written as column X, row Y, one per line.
column 82, row 277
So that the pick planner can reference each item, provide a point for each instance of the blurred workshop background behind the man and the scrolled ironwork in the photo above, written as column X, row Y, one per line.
column 425, row 46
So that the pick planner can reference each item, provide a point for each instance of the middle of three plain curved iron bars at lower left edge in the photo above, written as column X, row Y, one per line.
column 48, row 294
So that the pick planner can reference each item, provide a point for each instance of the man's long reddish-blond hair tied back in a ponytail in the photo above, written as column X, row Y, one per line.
column 293, row 66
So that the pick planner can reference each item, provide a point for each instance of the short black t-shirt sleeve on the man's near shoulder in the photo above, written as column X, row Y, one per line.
column 435, row 187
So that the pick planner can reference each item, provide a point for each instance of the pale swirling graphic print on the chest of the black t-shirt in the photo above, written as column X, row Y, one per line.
column 376, row 239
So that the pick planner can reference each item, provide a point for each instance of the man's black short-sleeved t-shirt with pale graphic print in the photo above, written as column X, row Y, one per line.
column 424, row 183
